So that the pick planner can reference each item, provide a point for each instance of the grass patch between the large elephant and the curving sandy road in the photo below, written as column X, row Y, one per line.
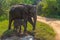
column 44, row 31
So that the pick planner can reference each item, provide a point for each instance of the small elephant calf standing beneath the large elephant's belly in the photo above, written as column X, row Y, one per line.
column 17, row 25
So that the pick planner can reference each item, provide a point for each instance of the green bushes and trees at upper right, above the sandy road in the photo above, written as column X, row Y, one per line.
column 49, row 8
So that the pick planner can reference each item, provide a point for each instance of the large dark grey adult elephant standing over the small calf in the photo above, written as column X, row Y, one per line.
column 26, row 12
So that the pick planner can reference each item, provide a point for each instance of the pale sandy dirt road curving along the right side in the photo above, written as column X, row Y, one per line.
column 55, row 24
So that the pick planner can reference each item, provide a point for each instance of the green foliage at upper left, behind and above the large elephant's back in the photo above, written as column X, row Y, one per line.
column 5, row 6
